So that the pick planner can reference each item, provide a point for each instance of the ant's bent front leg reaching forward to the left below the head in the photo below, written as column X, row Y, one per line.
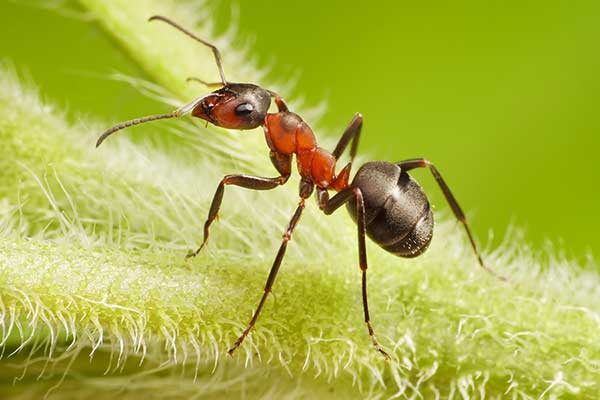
column 282, row 163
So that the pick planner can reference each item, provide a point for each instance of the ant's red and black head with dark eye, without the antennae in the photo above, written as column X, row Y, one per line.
column 235, row 106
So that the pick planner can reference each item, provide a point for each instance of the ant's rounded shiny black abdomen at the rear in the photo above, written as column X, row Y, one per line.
column 397, row 212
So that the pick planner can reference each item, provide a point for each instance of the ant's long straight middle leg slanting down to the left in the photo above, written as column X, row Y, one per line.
column 306, row 188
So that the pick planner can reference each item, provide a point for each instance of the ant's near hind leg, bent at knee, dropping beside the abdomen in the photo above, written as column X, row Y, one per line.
column 329, row 206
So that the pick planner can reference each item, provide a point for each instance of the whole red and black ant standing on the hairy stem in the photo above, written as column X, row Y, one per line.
column 385, row 202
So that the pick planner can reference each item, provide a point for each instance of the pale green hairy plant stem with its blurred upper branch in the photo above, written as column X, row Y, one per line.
column 91, row 262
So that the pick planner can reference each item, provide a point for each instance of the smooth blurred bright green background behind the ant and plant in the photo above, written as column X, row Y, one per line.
column 502, row 96
